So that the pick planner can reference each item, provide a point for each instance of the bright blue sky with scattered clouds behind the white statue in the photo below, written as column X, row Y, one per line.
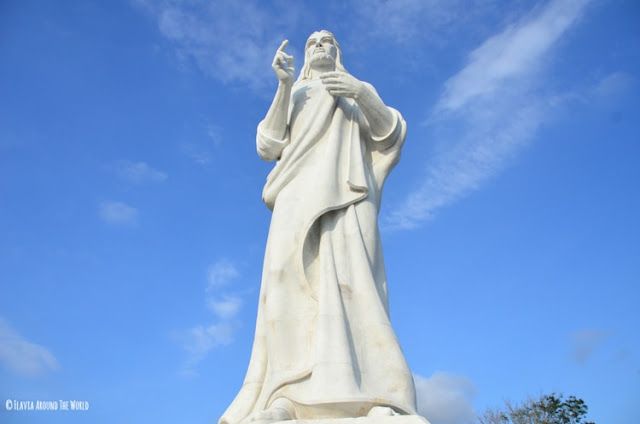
column 133, row 230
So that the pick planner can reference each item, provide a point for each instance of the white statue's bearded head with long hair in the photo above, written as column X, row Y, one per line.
column 321, row 52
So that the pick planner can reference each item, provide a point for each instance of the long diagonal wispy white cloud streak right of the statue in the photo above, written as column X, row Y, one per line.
column 490, row 109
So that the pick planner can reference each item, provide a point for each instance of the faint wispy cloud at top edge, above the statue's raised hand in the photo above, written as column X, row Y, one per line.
column 231, row 41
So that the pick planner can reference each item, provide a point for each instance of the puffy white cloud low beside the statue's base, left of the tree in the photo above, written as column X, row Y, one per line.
column 445, row 398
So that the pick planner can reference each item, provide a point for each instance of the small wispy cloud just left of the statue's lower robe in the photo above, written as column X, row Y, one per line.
column 200, row 340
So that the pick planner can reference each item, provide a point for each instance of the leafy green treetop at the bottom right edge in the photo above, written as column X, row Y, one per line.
column 548, row 409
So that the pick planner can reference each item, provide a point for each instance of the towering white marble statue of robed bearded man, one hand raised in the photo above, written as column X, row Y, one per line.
column 324, row 347
